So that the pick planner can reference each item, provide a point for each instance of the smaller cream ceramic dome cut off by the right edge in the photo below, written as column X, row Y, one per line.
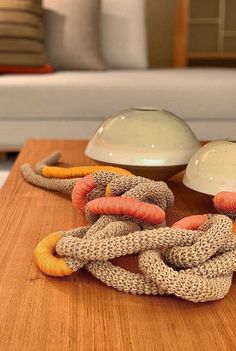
column 213, row 168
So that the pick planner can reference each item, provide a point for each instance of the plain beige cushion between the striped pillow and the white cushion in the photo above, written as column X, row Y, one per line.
column 72, row 34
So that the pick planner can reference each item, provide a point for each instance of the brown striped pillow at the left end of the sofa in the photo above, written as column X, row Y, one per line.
column 21, row 33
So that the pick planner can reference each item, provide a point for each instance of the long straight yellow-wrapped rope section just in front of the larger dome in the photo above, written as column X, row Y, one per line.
column 75, row 172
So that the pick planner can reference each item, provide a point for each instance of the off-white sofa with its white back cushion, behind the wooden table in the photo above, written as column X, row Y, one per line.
column 71, row 104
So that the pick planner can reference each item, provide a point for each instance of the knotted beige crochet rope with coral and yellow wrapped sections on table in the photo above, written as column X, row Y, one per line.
column 194, row 259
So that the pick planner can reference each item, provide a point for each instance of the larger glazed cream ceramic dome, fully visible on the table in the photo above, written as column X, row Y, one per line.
column 149, row 142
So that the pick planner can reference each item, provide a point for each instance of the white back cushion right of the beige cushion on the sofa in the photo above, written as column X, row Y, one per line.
column 124, row 33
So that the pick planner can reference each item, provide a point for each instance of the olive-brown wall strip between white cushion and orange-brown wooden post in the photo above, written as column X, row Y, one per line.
column 161, row 30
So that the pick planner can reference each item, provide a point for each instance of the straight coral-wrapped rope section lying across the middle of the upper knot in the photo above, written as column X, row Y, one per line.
column 146, row 212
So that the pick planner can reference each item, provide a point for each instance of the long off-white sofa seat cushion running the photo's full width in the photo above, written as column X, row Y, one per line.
column 193, row 94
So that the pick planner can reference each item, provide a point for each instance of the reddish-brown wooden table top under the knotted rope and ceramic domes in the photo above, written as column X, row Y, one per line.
column 79, row 312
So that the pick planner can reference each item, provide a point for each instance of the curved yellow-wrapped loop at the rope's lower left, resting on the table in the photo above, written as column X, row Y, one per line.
column 45, row 259
